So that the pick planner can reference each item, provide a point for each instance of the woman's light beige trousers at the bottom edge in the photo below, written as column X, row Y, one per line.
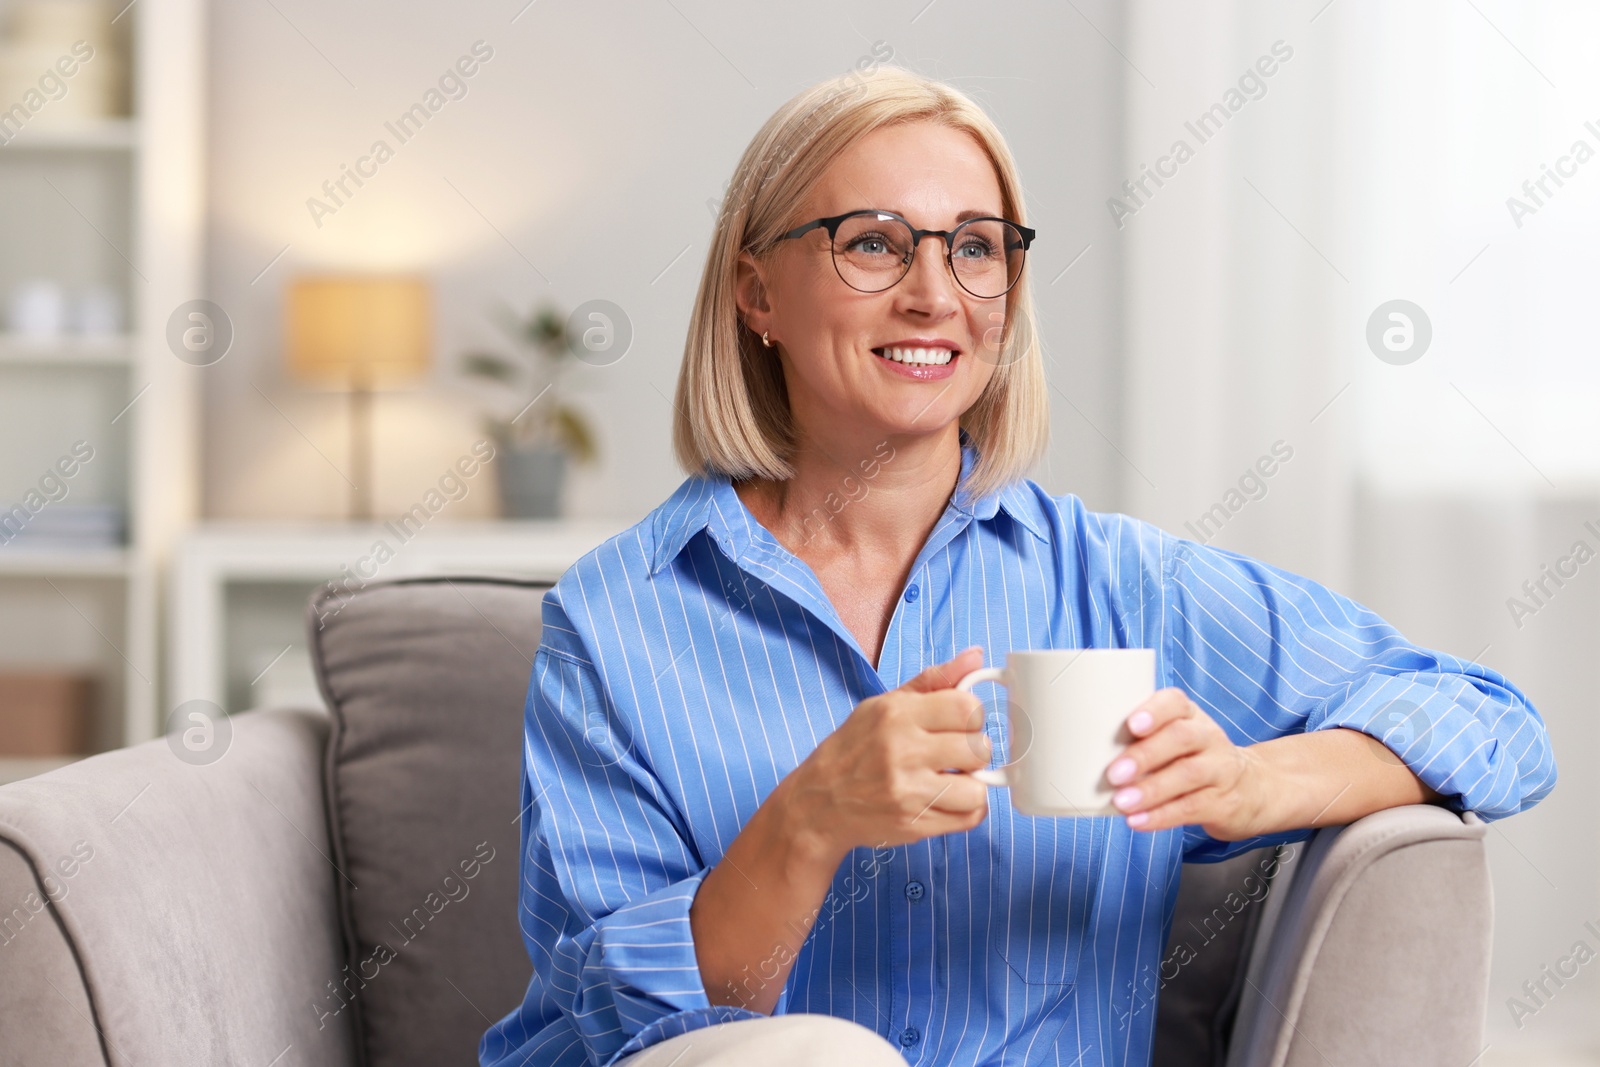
column 799, row 1041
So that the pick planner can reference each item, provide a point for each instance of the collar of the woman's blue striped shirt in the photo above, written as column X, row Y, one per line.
column 708, row 502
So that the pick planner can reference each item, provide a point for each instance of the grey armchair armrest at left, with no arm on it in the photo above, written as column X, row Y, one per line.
column 159, row 913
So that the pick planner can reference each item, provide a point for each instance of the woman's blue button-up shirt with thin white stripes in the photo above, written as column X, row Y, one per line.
column 692, row 663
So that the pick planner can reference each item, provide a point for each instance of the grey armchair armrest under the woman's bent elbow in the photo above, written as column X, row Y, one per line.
column 1378, row 953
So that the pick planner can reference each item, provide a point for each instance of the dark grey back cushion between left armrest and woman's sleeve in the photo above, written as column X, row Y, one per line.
column 426, row 681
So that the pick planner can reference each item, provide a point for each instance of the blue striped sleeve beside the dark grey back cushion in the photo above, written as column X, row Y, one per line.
column 609, row 874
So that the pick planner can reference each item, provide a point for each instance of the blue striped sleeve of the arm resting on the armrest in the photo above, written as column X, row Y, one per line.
column 1270, row 653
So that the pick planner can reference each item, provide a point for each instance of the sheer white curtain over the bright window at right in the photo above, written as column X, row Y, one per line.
column 1452, row 487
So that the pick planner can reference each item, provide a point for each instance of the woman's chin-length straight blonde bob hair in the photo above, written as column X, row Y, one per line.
column 732, row 401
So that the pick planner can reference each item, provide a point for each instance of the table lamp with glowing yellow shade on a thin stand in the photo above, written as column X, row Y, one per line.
column 359, row 334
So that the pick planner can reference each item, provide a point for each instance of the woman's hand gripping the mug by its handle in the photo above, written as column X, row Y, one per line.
column 879, row 780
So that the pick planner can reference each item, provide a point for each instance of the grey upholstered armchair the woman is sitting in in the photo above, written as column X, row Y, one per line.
column 342, row 889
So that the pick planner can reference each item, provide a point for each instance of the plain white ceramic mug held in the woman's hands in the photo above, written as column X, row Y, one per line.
column 1068, row 711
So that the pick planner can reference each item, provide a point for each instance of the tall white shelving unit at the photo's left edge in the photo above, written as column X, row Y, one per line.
column 116, row 204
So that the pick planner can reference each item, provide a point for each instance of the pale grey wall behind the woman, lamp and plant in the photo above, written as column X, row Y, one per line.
column 586, row 151
